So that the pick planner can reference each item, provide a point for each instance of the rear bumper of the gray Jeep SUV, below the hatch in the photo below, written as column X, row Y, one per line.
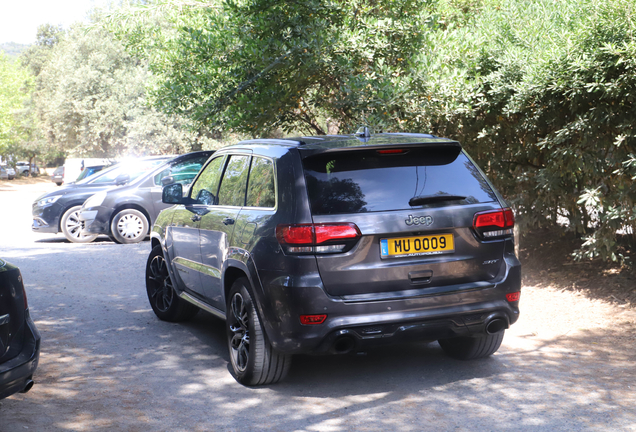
column 462, row 311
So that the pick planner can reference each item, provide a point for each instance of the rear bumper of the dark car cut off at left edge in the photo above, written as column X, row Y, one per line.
column 17, row 372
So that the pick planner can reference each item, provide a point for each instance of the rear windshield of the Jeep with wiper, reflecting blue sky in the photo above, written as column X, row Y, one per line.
column 366, row 181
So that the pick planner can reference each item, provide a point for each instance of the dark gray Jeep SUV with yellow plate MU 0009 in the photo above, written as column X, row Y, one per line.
column 334, row 243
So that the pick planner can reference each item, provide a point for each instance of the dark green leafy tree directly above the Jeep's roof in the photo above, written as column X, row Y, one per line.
column 256, row 66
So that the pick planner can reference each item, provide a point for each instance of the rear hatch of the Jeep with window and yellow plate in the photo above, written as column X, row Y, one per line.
column 414, row 207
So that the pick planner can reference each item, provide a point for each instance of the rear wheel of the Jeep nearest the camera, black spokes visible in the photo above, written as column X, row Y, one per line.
column 254, row 361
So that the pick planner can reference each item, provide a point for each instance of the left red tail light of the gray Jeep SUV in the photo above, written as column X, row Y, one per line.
column 317, row 238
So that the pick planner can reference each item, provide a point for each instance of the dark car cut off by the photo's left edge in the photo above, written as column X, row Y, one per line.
column 19, row 339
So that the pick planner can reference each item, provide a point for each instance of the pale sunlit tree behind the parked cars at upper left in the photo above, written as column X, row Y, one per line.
column 91, row 99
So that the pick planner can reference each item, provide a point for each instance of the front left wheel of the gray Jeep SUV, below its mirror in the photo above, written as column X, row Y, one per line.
column 163, row 298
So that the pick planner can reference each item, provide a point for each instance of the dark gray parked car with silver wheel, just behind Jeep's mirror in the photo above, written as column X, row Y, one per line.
column 126, row 213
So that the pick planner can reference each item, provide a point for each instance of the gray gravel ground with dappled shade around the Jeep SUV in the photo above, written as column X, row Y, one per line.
column 108, row 364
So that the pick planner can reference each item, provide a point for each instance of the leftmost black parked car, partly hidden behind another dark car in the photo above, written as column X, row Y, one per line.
column 58, row 211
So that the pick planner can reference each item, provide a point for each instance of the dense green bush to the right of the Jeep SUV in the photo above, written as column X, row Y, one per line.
column 542, row 94
